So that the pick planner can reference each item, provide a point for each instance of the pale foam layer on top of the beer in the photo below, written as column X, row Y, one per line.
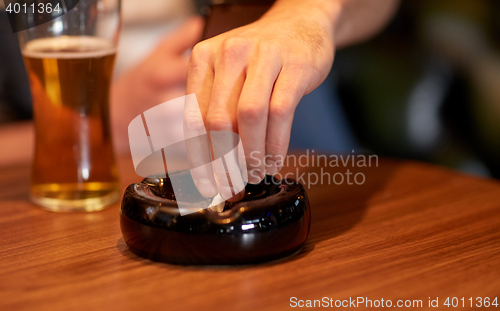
column 68, row 47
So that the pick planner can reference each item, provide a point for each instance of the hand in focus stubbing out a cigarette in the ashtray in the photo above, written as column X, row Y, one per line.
column 249, row 81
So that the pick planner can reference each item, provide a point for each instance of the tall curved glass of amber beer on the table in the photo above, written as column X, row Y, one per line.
column 69, row 61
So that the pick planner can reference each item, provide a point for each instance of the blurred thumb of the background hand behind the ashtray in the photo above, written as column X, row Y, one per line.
column 184, row 37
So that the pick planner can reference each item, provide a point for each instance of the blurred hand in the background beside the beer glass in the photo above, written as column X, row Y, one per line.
column 159, row 77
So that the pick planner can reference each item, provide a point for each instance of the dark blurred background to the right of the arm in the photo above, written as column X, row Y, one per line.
column 428, row 87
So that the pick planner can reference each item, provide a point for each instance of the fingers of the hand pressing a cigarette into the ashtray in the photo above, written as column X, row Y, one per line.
column 252, row 96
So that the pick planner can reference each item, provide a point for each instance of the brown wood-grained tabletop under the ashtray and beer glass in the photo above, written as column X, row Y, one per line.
column 410, row 232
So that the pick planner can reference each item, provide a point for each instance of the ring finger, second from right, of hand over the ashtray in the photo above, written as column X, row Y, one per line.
column 252, row 113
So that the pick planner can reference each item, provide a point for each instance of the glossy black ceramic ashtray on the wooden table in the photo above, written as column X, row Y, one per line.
column 272, row 221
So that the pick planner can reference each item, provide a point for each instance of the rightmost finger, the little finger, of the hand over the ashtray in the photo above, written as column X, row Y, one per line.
column 286, row 95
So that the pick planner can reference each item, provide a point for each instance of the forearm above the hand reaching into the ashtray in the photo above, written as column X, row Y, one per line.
column 347, row 21
